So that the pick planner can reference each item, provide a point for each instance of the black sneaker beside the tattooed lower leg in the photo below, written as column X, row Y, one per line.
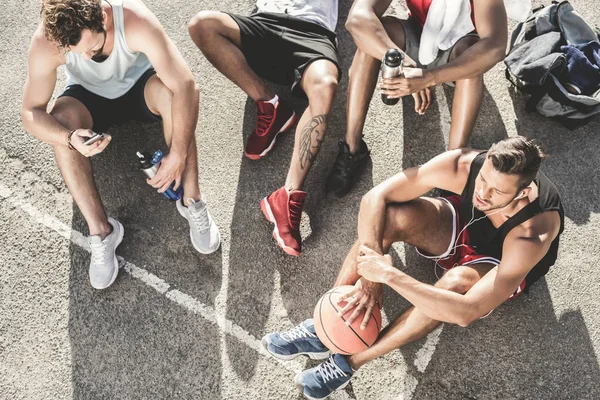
column 346, row 169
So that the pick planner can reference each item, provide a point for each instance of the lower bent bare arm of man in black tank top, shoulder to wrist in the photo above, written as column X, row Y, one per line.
column 520, row 255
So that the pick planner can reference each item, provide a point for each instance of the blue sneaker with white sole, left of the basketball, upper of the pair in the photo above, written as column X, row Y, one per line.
column 301, row 340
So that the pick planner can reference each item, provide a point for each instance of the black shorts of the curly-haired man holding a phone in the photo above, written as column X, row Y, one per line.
column 108, row 112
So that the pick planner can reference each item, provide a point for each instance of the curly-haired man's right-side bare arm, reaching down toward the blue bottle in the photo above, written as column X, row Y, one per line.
column 144, row 33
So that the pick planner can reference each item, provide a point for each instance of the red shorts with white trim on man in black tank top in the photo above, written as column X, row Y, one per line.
column 459, row 250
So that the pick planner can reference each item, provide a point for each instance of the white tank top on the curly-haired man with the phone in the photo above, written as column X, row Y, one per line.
column 118, row 73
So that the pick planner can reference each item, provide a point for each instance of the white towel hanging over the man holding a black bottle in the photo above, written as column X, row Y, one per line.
column 449, row 20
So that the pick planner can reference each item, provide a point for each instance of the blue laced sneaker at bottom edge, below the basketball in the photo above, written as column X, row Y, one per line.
column 319, row 382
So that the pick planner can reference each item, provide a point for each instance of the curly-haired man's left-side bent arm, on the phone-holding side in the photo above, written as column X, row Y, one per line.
column 43, row 60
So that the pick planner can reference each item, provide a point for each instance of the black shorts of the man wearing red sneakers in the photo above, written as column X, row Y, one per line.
column 279, row 47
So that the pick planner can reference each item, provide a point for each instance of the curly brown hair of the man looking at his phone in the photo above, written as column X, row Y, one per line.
column 64, row 20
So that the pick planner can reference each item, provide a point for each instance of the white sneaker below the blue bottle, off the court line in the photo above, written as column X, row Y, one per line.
column 204, row 233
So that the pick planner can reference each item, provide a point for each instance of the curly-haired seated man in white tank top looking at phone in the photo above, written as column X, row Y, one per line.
column 120, row 66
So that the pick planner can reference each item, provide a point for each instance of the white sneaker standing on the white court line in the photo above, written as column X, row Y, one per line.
column 104, row 266
